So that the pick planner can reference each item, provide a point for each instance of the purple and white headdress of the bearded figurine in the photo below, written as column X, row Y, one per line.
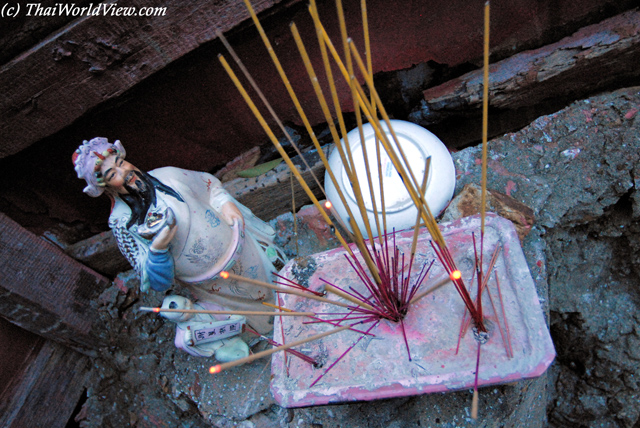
column 88, row 158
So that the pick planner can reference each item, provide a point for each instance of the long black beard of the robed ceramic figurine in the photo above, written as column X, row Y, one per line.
column 143, row 196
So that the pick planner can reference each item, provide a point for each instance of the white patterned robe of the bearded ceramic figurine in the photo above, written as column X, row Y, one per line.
column 205, row 244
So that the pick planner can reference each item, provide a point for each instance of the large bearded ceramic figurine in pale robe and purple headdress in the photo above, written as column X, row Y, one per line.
column 178, row 225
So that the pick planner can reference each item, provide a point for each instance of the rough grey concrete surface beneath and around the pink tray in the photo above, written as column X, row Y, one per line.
column 577, row 169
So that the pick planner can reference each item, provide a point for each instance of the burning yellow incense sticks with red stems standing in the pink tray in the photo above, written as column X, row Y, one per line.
column 380, row 266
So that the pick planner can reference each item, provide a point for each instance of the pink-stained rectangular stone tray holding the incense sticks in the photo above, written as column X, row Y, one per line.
column 378, row 366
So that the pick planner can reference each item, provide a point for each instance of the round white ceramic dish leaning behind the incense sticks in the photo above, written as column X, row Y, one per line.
column 417, row 144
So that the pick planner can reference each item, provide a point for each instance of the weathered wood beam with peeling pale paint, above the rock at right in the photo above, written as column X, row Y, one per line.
column 592, row 59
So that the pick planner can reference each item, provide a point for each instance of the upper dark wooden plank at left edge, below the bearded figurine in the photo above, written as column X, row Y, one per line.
column 45, row 291
